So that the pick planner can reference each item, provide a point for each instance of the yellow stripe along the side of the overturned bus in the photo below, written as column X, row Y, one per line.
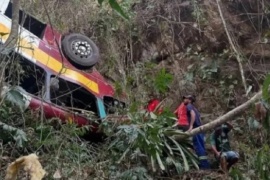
column 50, row 62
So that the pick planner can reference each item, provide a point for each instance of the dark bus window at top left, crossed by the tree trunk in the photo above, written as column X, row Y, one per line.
column 30, row 23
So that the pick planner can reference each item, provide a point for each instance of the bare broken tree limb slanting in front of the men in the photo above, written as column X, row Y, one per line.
column 226, row 117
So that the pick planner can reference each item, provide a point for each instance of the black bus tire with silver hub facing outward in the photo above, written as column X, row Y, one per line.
column 80, row 50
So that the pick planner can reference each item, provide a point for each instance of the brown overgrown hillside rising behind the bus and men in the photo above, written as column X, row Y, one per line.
column 187, row 38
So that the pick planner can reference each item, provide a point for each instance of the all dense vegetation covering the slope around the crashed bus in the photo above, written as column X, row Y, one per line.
column 218, row 50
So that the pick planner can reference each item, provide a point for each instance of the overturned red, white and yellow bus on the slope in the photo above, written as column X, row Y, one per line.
column 53, row 66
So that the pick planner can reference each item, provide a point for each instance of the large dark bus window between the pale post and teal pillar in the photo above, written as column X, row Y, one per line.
column 72, row 96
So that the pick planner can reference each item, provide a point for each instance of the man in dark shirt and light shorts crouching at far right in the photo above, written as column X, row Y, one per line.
column 221, row 146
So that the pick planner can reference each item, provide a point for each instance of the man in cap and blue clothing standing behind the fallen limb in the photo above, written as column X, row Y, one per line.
column 198, row 140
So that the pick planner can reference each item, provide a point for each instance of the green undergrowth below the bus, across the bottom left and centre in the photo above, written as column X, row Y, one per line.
column 124, row 154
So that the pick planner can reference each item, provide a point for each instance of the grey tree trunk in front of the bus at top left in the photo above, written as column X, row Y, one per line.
column 13, row 36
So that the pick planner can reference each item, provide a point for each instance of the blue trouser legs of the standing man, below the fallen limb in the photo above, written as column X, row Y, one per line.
column 198, row 143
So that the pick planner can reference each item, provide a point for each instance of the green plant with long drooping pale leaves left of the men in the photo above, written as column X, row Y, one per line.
column 150, row 137
